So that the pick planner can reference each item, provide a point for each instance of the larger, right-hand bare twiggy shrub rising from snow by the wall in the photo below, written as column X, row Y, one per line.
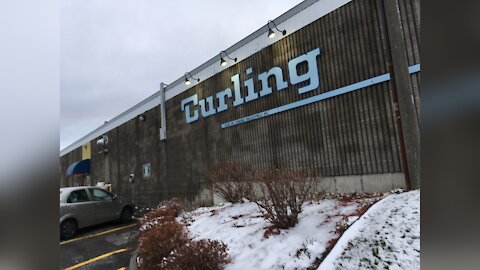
column 284, row 193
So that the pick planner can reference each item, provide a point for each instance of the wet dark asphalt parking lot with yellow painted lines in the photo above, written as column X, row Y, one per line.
column 107, row 246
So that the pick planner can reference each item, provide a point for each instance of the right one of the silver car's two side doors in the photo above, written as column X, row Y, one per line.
column 106, row 206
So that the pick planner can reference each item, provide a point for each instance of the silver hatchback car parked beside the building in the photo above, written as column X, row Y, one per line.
column 88, row 205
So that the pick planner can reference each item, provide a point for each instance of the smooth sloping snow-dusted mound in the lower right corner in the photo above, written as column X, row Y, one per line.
column 387, row 236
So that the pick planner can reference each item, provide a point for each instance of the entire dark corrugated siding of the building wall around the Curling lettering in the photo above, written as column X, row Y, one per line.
column 351, row 134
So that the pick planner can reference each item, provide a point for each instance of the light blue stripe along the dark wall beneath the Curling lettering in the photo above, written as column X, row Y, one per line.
column 323, row 96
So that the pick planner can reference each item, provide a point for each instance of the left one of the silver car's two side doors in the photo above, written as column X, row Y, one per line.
column 82, row 208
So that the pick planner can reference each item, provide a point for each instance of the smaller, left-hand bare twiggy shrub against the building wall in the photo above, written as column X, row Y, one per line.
column 231, row 182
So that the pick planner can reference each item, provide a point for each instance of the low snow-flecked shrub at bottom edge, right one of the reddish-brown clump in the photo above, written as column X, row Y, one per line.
column 197, row 255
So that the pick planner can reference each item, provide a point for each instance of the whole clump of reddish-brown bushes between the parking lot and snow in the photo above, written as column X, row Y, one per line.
column 163, row 243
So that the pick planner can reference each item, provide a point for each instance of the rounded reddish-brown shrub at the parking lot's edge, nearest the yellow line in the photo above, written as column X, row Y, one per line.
column 157, row 242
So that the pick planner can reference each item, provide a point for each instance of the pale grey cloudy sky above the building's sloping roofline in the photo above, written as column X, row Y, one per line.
column 114, row 53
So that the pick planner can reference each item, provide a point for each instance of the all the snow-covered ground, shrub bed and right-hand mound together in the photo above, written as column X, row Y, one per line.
column 387, row 235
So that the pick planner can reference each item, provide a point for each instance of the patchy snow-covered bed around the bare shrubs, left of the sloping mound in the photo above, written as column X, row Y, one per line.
column 252, row 245
